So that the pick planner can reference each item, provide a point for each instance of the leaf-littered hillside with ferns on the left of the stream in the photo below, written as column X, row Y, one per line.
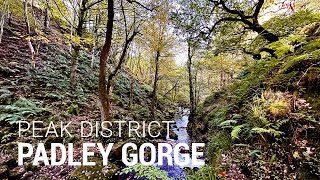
column 45, row 94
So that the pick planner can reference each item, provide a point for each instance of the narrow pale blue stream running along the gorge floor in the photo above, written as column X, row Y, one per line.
column 180, row 128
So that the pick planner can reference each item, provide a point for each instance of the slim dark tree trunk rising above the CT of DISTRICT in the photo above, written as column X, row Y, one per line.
column 155, row 83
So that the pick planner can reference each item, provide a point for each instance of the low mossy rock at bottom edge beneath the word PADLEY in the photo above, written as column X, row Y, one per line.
column 94, row 172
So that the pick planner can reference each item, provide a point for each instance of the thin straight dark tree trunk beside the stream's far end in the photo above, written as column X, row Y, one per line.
column 191, row 94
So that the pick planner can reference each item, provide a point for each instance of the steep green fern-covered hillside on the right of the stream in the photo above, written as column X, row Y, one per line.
column 266, row 124
